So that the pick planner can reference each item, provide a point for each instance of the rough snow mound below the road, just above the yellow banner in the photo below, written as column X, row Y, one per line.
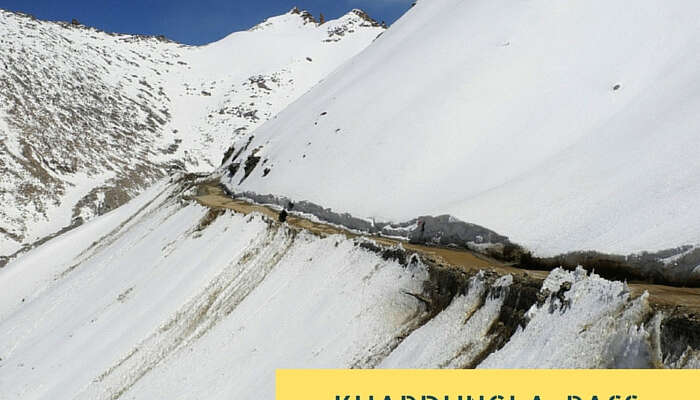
column 596, row 325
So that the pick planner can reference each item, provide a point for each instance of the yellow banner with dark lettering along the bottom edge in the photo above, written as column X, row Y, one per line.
column 488, row 384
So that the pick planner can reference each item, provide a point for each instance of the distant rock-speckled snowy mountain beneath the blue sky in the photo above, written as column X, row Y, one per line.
column 88, row 119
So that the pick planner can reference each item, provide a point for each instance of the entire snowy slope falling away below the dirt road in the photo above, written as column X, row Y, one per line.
column 126, row 305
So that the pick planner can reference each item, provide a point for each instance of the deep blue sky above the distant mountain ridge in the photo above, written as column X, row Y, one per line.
column 192, row 21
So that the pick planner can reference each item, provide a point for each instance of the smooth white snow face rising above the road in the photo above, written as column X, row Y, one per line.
column 563, row 126
